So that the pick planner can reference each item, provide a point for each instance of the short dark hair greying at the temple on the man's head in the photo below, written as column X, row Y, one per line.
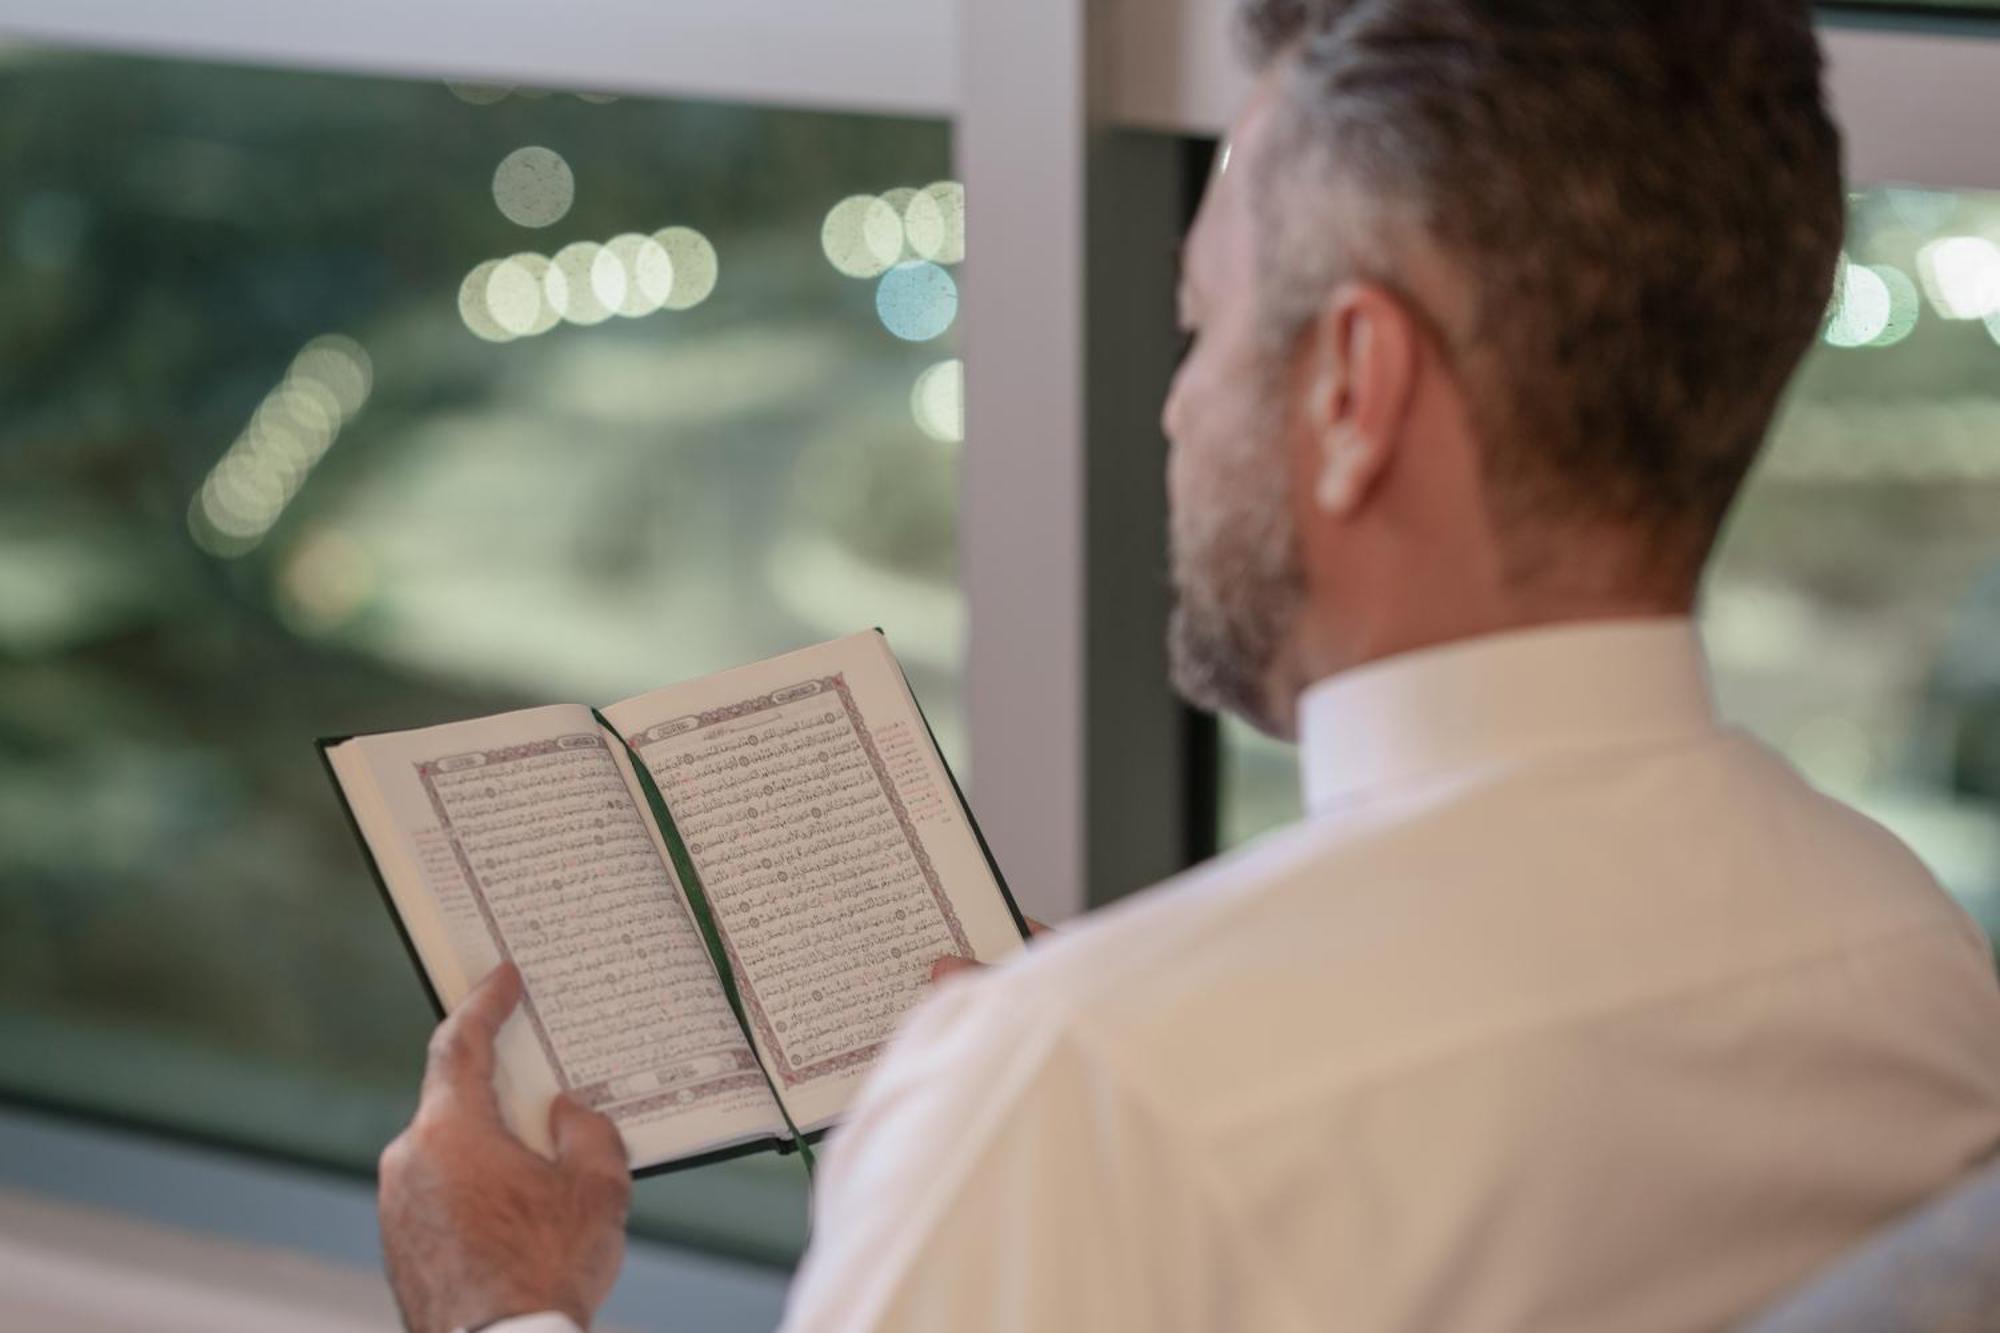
column 1641, row 201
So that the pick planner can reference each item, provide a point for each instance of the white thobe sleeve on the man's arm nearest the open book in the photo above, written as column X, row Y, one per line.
column 995, row 1180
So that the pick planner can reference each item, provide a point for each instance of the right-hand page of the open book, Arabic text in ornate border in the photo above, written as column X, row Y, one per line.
column 835, row 856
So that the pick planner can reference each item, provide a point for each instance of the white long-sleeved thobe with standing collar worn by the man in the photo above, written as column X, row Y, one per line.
column 1567, row 1008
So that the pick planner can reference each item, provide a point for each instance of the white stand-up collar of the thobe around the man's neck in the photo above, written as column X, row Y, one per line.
column 1501, row 700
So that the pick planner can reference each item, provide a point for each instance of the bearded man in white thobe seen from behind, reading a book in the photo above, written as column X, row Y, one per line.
column 1567, row 1008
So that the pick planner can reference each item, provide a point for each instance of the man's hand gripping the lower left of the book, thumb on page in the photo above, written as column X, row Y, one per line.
column 477, row 1226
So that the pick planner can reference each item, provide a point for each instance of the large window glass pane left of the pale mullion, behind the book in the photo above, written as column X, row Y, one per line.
column 345, row 405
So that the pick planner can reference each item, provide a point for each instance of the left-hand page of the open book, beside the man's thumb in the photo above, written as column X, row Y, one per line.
column 523, row 838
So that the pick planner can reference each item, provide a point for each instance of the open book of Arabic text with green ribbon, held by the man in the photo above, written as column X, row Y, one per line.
column 721, row 896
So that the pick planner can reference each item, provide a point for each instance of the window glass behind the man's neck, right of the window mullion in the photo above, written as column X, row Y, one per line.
column 1853, row 615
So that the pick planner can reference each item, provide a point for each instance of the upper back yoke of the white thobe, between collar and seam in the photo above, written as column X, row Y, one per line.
column 1335, row 950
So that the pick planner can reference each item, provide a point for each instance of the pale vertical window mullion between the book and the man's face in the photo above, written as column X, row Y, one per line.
column 1023, row 157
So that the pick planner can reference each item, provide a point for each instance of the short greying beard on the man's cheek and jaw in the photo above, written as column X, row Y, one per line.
column 1239, row 579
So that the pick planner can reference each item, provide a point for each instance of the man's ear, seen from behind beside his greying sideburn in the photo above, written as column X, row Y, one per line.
column 1365, row 361
